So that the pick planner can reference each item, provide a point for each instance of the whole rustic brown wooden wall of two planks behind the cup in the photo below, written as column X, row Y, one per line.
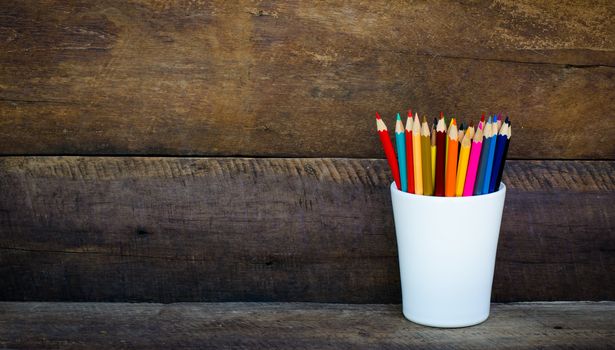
column 110, row 112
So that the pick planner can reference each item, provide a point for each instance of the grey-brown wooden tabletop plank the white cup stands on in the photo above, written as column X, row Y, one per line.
column 579, row 325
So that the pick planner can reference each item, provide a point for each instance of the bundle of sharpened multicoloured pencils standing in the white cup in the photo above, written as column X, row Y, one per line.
column 446, row 159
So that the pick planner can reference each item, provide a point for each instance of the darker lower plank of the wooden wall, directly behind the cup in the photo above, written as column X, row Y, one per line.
column 183, row 229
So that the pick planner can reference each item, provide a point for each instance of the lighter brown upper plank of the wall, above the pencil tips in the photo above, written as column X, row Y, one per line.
column 261, row 79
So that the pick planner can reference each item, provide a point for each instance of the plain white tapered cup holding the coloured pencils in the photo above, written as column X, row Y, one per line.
column 447, row 248
